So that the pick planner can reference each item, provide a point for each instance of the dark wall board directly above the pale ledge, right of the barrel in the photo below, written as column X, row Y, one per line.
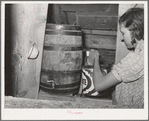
column 94, row 21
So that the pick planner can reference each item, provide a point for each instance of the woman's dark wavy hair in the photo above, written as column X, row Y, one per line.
column 133, row 19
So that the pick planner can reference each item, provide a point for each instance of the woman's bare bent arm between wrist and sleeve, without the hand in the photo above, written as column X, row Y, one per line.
column 101, row 82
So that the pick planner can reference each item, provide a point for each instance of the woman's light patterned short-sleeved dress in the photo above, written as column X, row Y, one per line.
column 130, row 72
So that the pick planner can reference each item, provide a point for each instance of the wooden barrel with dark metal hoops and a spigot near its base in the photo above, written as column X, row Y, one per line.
column 62, row 59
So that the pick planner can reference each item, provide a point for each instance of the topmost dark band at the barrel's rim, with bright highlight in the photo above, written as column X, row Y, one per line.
column 63, row 26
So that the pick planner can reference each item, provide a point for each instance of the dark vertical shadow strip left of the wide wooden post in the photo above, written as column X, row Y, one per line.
column 8, row 48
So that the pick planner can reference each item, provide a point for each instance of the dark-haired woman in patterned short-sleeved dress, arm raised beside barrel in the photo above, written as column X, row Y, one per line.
column 128, row 74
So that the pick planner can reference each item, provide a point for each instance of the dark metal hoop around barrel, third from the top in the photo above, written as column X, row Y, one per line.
column 62, row 48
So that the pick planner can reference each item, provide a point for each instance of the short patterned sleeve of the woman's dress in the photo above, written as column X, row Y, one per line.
column 130, row 68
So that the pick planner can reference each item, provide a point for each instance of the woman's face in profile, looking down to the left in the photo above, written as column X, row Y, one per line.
column 126, row 37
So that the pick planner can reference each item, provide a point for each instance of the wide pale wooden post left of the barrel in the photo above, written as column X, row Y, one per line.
column 28, row 22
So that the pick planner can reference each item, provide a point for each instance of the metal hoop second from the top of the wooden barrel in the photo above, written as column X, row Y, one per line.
column 63, row 33
